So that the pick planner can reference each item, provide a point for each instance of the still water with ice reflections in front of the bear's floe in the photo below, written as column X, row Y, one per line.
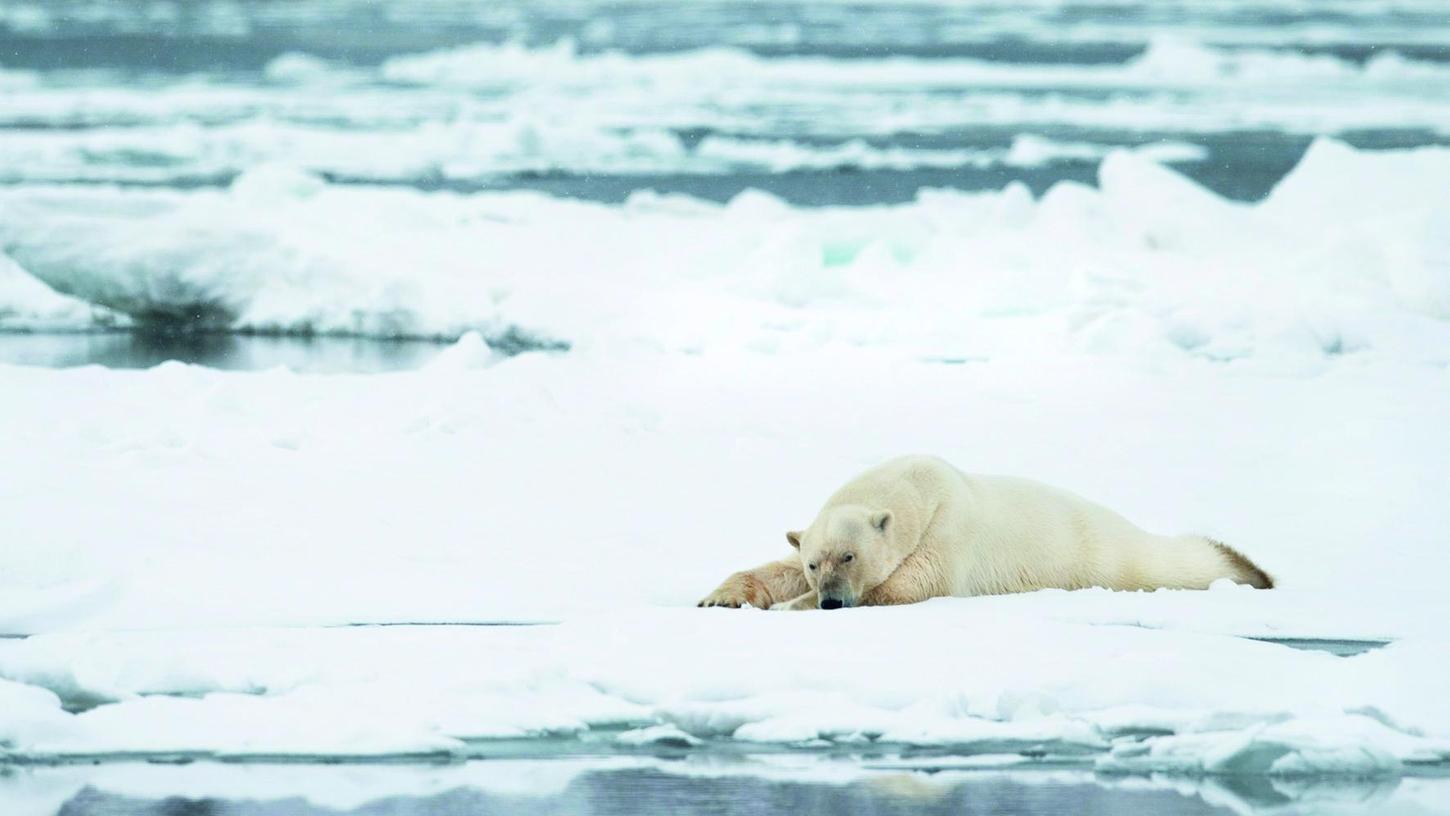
column 634, row 786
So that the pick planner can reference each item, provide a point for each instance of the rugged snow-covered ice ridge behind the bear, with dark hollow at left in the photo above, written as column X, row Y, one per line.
column 1148, row 266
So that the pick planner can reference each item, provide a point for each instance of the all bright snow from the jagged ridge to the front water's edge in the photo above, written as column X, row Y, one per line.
column 186, row 547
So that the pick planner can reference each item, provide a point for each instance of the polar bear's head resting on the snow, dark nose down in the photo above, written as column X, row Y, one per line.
column 846, row 553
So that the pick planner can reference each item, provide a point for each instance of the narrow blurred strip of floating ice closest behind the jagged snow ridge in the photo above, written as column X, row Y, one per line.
column 489, row 153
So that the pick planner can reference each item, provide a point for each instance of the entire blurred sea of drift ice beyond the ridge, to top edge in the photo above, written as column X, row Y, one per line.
column 627, row 101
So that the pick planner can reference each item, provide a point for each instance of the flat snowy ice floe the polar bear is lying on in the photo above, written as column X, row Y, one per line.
column 228, row 515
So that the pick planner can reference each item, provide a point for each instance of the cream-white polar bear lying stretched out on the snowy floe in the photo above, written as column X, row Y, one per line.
column 917, row 528
